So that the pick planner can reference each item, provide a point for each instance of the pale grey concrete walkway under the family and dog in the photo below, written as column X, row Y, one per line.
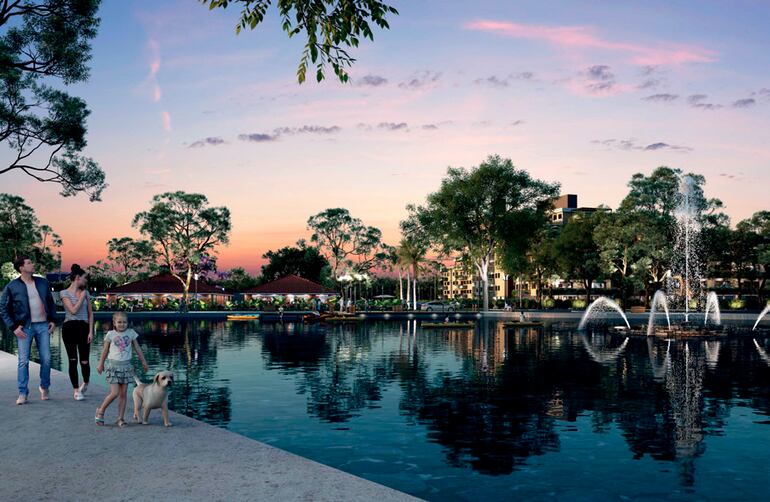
column 53, row 451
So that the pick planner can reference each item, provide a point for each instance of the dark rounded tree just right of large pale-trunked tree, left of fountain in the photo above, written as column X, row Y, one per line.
column 577, row 253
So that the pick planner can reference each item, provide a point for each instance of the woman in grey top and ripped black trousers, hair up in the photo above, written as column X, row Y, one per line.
column 78, row 328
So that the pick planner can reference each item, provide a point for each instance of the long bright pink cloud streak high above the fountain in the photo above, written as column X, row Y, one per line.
column 585, row 37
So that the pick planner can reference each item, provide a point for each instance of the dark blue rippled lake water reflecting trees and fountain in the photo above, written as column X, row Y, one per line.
column 490, row 412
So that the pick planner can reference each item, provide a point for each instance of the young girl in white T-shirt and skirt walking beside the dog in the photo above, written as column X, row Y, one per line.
column 118, row 370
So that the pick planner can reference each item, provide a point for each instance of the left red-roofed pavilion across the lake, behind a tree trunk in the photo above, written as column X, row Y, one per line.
column 160, row 288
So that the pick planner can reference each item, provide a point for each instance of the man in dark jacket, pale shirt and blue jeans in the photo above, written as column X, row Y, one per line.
column 27, row 309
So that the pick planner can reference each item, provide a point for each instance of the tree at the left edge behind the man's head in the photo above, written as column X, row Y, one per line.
column 22, row 234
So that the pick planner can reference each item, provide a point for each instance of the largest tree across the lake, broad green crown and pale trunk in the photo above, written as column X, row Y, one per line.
column 475, row 211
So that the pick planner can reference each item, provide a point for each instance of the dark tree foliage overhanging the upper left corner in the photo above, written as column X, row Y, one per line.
column 44, row 126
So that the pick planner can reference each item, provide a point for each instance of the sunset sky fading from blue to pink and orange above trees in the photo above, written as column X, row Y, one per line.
column 584, row 93
